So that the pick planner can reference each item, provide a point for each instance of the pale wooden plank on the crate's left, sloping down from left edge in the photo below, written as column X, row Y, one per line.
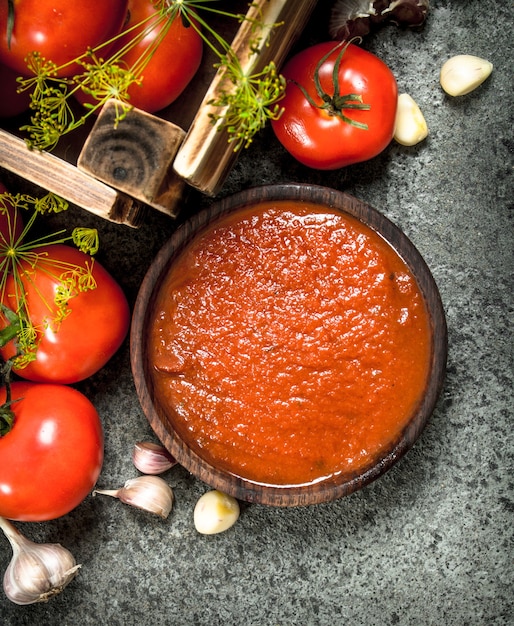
column 65, row 180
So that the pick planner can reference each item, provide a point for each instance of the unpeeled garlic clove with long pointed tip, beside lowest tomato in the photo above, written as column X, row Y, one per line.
column 149, row 493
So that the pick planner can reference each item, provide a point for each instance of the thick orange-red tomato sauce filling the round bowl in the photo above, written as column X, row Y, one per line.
column 290, row 343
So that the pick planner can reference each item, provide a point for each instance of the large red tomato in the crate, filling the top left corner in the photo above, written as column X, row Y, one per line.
column 59, row 30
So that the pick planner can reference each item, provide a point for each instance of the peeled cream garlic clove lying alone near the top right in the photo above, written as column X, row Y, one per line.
column 463, row 73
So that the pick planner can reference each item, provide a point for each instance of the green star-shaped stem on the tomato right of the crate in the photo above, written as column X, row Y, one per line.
column 337, row 103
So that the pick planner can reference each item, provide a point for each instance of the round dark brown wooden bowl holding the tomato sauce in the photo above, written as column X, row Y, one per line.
column 161, row 417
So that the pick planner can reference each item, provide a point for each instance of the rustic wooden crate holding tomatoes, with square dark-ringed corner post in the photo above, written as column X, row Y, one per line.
column 150, row 159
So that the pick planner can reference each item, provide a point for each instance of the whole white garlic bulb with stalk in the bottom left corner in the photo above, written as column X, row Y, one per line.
column 37, row 571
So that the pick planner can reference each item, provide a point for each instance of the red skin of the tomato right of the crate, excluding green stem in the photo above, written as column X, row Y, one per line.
column 319, row 138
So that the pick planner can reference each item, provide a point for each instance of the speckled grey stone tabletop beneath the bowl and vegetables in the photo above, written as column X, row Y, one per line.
column 429, row 543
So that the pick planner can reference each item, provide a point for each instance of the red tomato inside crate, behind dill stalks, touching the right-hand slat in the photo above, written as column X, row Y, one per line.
column 172, row 65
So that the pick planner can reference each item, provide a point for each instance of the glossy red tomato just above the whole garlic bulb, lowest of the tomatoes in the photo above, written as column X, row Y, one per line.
column 52, row 456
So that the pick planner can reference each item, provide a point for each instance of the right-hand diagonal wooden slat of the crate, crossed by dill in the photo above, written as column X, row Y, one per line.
column 205, row 157
